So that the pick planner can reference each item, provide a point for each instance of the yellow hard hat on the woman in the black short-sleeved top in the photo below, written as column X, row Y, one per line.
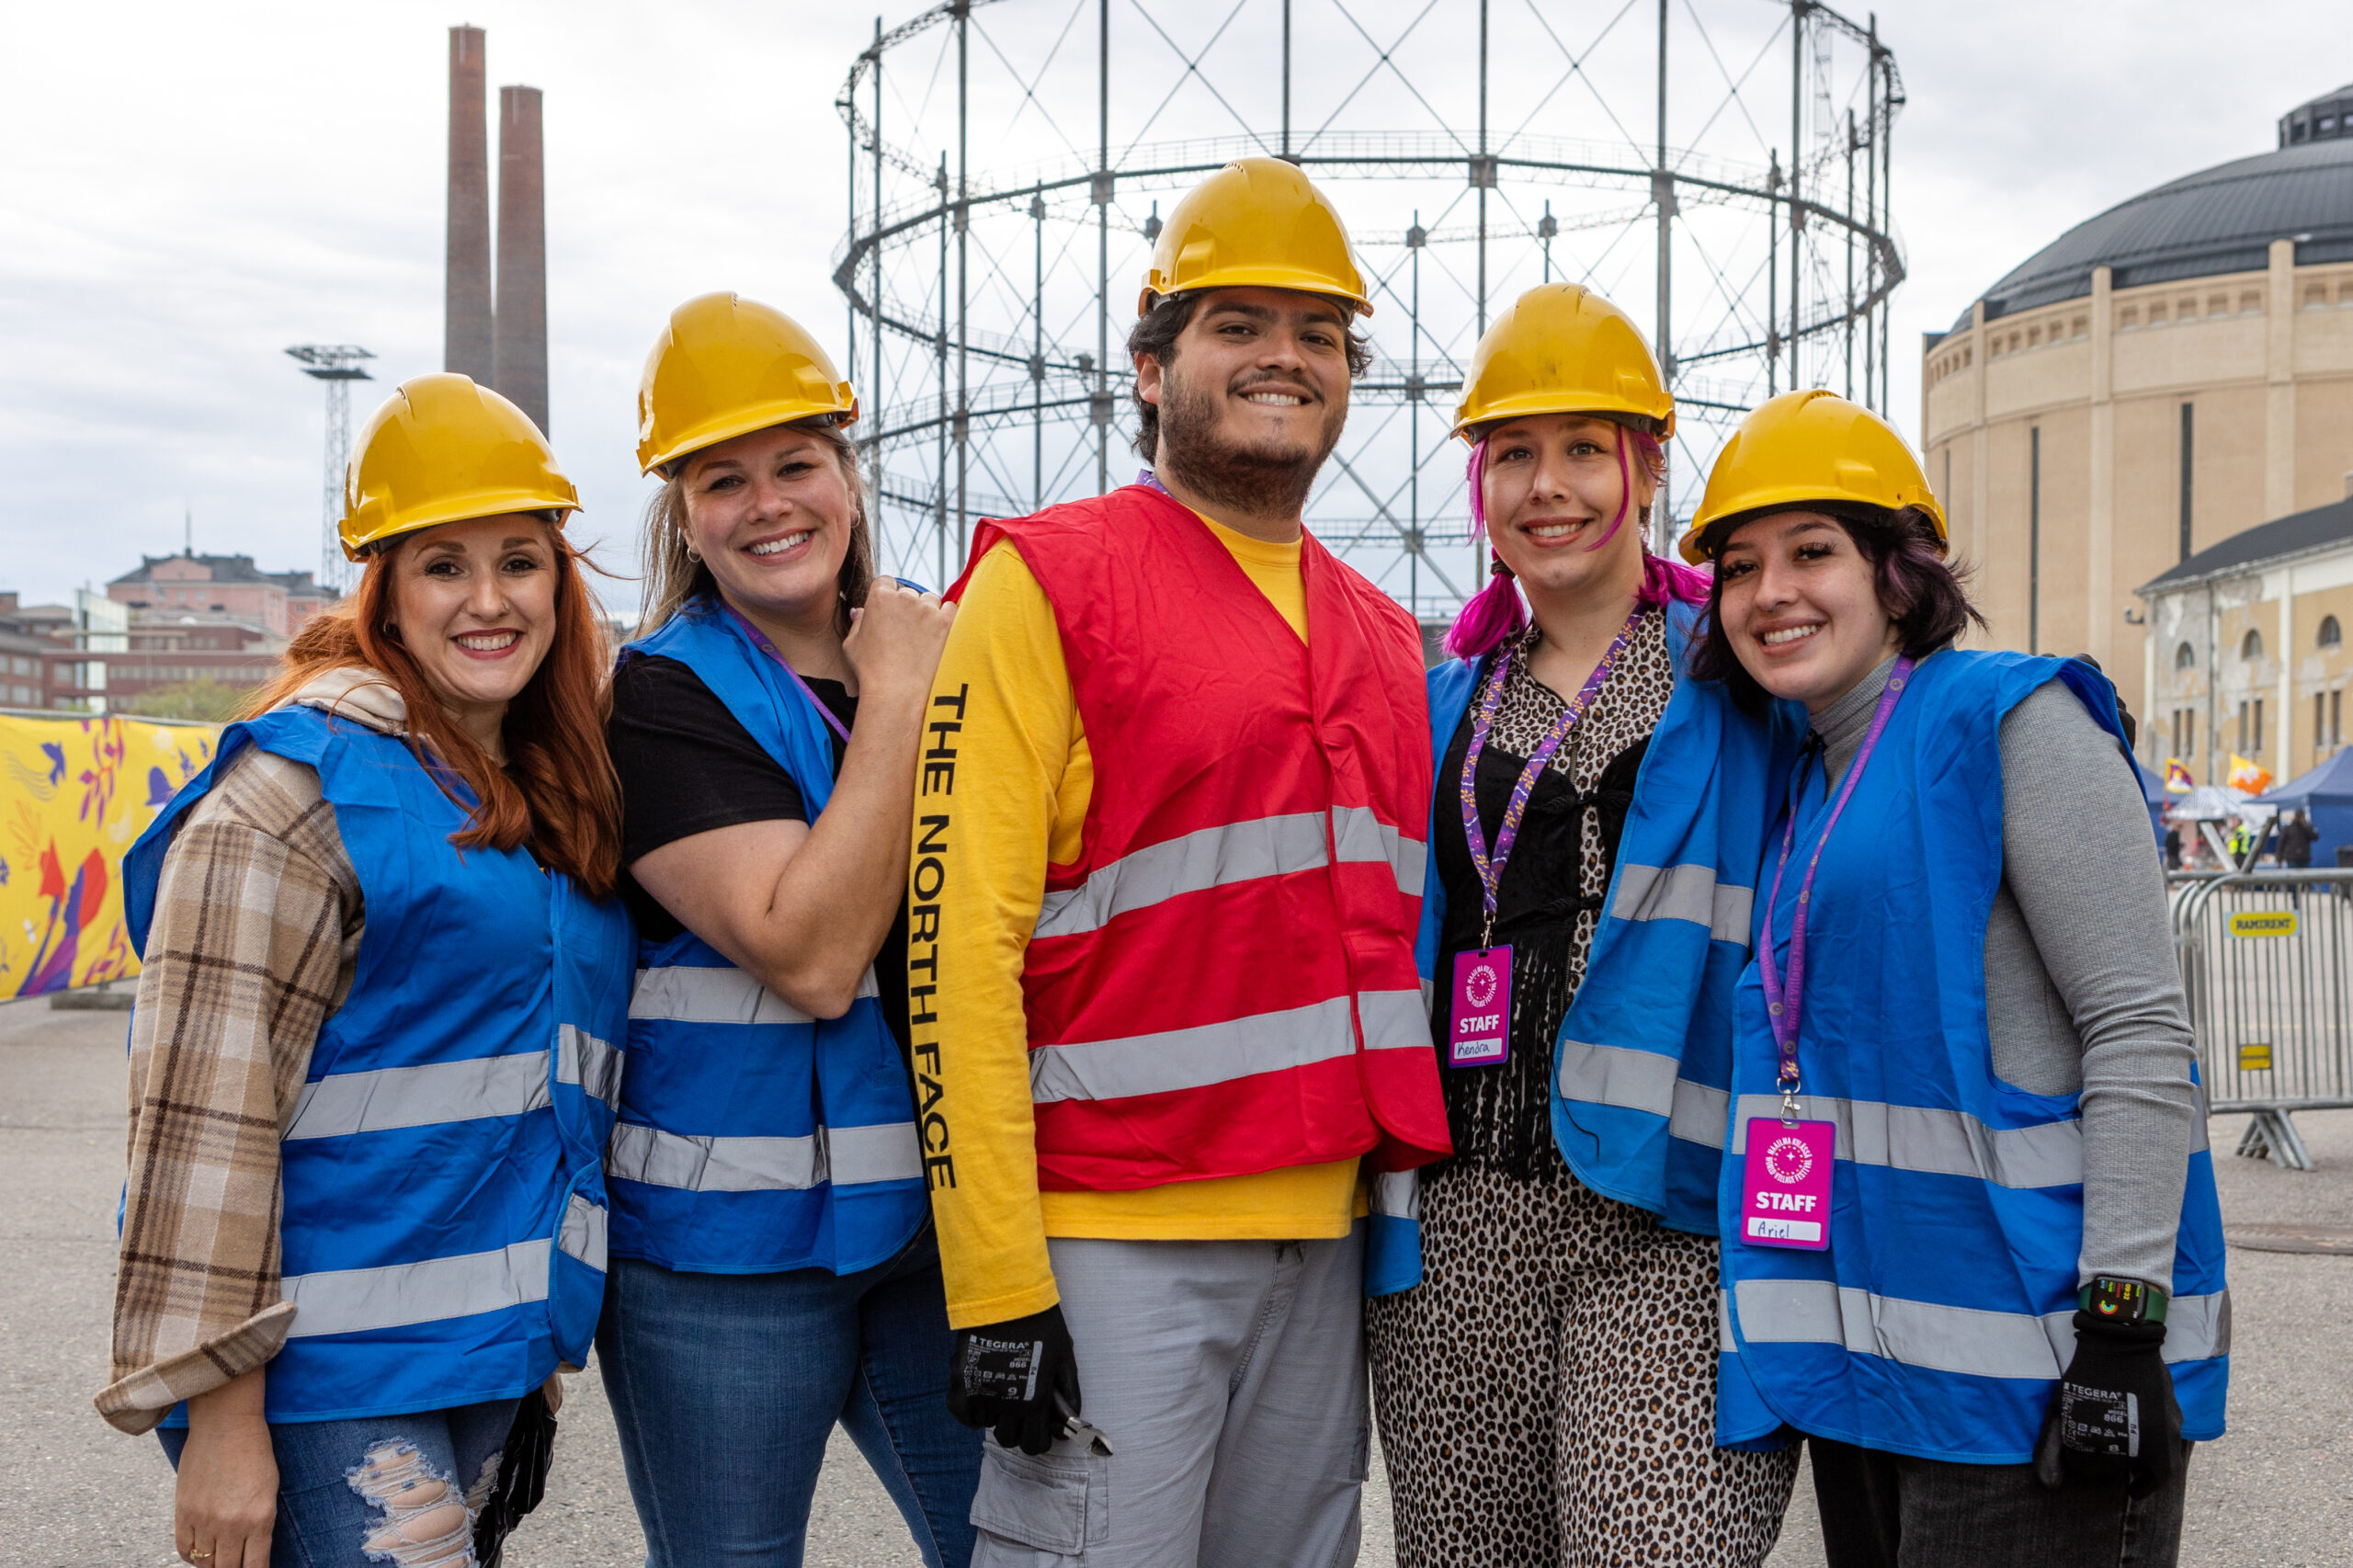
column 731, row 366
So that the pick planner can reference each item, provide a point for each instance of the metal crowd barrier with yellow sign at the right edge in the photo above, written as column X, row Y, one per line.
column 2267, row 959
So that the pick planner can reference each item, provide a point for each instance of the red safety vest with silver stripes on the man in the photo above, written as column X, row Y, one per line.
column 1225, row 981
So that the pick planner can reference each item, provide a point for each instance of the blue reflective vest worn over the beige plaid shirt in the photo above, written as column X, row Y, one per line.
column 444, row 1228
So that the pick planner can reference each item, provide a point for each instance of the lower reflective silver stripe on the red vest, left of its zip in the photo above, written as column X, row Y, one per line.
column 1194, row 1058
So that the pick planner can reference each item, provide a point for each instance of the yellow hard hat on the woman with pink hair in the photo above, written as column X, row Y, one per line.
column 1564, row 350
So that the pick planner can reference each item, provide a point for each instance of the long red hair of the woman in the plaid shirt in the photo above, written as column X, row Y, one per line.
column 559, row 790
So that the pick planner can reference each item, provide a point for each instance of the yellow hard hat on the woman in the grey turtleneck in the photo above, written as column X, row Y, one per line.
column 1811, row 449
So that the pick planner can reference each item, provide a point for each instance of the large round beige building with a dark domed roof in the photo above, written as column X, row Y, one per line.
column 2149, row 385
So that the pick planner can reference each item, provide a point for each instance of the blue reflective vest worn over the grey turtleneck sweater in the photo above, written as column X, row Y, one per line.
column 1942, row 1315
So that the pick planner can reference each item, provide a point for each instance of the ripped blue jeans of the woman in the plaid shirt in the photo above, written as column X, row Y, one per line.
column 380, row 1489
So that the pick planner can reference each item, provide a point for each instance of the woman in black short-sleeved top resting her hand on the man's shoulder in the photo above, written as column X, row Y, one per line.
column 773, row 1256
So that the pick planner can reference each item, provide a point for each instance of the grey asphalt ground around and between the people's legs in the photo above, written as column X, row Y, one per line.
column 2277, row 1494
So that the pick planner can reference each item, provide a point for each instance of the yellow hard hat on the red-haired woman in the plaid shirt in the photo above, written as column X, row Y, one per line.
column 444, row 451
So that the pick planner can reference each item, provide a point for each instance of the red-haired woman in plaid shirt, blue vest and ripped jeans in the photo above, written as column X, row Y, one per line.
column 380, row 1030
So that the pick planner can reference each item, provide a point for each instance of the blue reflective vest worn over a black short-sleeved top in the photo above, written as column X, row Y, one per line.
column 756, row 1138
